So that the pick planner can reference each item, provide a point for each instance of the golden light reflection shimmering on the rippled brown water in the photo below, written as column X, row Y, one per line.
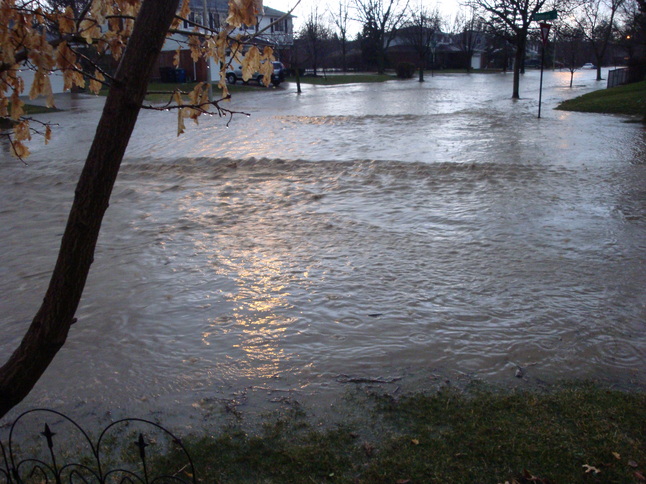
column 257, row 277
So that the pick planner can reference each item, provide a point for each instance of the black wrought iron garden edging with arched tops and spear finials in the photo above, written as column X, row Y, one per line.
column 125, row 452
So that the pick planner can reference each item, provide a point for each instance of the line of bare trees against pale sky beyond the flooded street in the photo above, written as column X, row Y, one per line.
column 504, row 32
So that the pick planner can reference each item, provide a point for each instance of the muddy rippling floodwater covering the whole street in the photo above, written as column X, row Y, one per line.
column 397, row 232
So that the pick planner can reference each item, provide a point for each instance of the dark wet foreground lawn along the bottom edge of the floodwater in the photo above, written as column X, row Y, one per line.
column 575, row 433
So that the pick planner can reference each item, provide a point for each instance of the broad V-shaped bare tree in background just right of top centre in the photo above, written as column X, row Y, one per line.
column 381, row 20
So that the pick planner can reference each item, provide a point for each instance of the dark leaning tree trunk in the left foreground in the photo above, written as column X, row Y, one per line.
column 50, row 326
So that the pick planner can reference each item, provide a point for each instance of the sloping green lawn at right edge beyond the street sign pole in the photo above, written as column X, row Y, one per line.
column 629, row 99
